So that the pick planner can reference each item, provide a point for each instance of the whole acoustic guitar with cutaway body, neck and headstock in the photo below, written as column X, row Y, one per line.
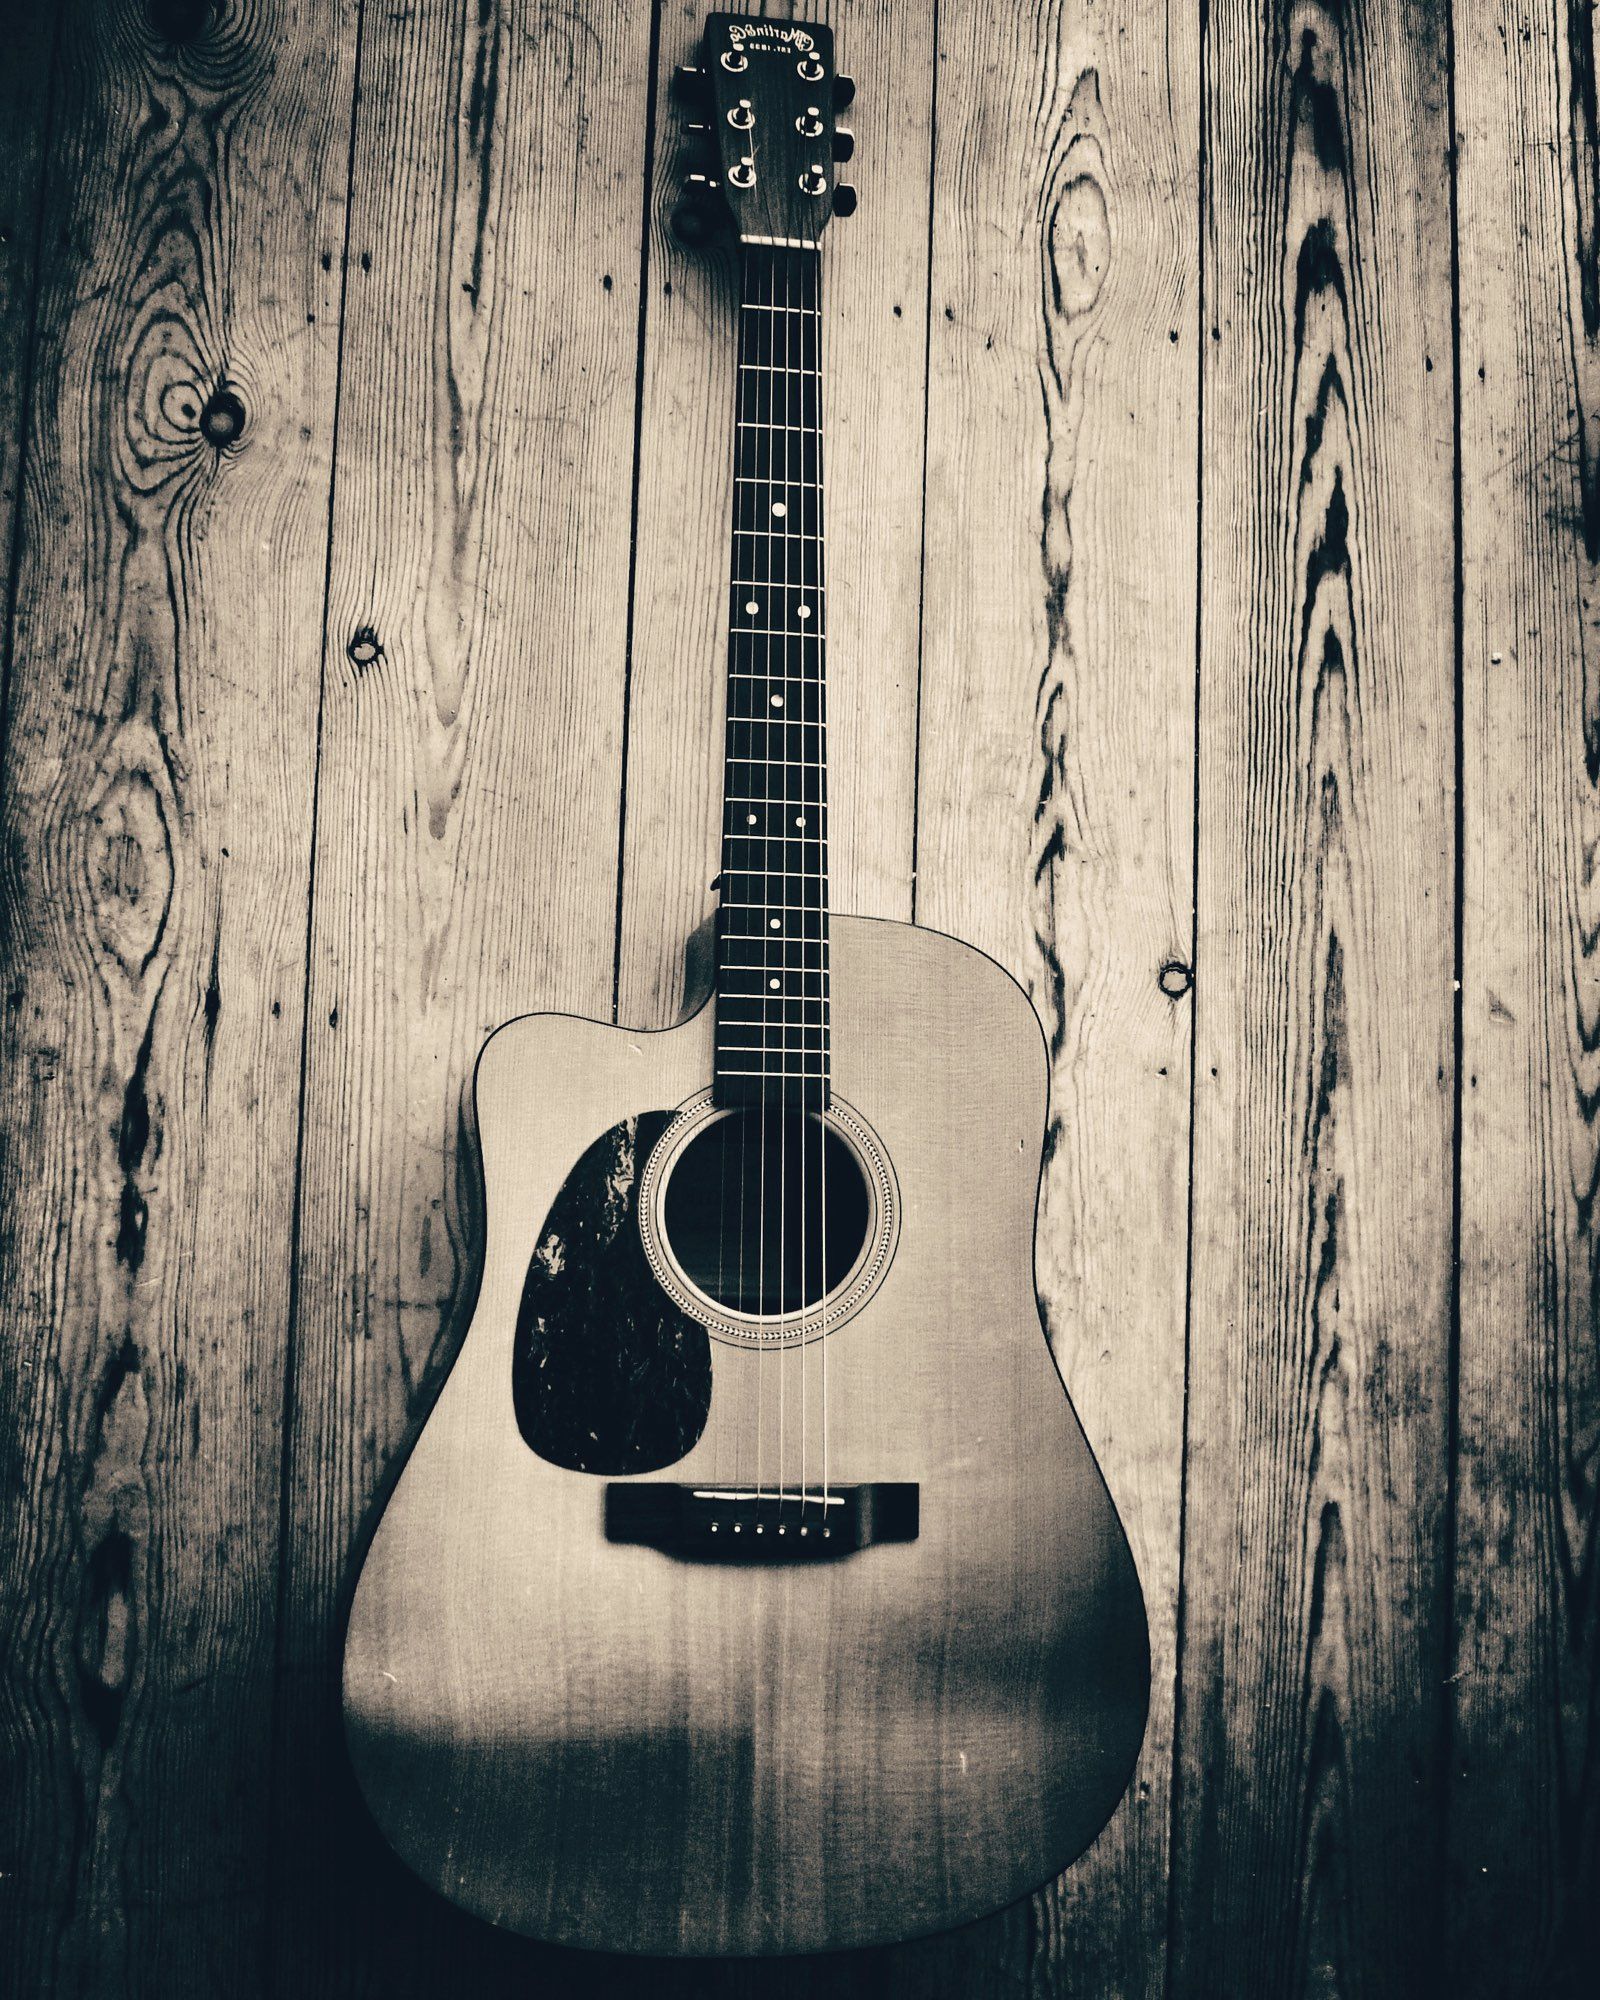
column 753, row 1587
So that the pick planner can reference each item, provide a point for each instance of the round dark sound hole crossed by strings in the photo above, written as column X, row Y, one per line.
column 767, row 1211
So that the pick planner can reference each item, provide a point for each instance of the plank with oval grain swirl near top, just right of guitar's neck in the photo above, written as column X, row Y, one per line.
column 1057, row 779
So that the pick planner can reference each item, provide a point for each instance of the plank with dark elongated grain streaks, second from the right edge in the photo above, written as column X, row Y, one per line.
column 1319, row 1397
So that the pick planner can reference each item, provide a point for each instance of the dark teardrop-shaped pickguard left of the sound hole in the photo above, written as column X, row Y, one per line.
column 607, row 1373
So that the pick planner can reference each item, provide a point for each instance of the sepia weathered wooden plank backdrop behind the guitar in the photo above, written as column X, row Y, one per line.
column 1215, row 461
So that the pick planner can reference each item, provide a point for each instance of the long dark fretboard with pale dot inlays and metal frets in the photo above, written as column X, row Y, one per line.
column 773, row 927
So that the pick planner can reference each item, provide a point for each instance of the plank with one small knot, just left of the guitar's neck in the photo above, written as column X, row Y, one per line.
column 469, row 789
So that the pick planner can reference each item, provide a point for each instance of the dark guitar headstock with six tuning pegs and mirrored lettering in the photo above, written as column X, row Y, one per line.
column 765, row 99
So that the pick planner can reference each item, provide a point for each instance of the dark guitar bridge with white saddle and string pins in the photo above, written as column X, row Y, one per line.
column 747, row 1525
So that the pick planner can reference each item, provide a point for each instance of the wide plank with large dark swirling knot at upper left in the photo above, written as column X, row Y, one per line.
column 157, row 815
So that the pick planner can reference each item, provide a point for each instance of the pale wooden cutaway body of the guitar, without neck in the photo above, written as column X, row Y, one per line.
column 633, row 1747
